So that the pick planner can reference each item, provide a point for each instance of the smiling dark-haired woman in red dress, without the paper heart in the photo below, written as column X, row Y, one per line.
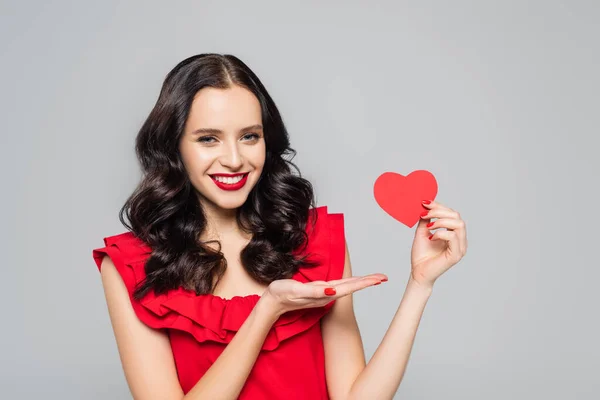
column 229, row 283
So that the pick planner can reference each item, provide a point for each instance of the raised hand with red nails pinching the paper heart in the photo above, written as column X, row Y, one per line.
column 433, row 254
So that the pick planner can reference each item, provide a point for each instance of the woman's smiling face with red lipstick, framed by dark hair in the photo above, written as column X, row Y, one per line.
column 223, row 142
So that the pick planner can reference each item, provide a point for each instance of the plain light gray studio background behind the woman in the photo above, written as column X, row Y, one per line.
column 498, row 99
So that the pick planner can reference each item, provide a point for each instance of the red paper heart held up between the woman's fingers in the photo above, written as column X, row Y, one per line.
column 401, row 196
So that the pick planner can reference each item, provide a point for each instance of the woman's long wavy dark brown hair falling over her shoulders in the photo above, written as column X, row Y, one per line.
column 164, row 210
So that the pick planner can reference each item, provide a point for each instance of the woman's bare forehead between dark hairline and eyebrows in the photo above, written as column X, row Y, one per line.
column 225, row 109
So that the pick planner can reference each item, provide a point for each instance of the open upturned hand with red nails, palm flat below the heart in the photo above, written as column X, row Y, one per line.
column 290, row 294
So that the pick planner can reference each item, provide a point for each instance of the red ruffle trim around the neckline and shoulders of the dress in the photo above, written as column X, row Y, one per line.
column 212, row 318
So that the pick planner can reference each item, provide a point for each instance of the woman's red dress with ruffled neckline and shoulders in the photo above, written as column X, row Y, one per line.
column 291, row 364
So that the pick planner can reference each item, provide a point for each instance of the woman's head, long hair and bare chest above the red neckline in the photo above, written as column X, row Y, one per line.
column 213, row 117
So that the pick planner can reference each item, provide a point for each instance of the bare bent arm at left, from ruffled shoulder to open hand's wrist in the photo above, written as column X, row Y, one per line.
column 147, row 357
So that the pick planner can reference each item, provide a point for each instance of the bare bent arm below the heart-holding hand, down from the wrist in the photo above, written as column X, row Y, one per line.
column 347, row 375
